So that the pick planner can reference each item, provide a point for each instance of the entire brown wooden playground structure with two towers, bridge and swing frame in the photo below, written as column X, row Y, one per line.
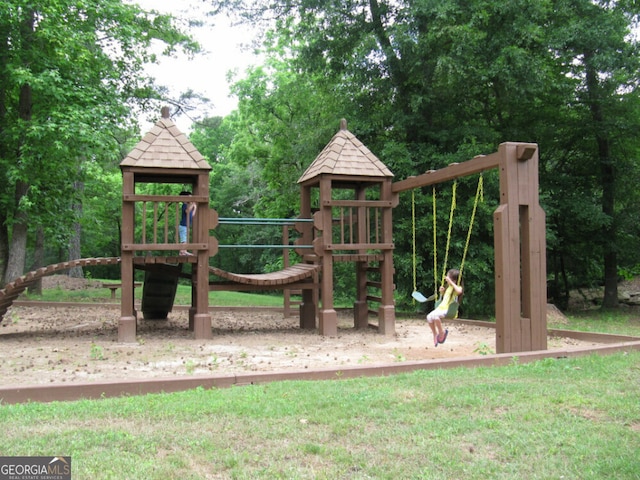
column 354, row 225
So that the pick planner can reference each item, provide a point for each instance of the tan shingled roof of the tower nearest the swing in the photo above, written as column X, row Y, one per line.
column 346, row 155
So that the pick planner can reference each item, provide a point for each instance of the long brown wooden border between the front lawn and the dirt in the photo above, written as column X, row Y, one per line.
column 77, row 391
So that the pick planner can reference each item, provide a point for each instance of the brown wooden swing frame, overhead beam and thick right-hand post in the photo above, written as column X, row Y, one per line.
column 519, row 242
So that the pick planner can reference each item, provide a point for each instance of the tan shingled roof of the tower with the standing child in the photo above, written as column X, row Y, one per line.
column 165, row 146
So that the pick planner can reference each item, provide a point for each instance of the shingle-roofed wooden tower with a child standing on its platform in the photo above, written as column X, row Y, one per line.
column 150, row 225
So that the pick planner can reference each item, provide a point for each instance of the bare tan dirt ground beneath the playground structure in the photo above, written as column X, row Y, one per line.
column 79, row 344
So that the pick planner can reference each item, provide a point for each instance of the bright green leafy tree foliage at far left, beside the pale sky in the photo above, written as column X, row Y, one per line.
column 73, row 83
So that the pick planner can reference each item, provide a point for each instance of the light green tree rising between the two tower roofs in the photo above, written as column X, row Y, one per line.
column 283, row 124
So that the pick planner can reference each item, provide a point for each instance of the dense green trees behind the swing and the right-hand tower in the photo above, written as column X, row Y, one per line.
column 428, row 83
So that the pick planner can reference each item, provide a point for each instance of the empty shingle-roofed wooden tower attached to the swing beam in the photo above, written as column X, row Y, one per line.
column 354, row 219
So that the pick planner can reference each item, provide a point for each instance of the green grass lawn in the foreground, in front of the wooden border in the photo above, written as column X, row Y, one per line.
column 574, row 418
